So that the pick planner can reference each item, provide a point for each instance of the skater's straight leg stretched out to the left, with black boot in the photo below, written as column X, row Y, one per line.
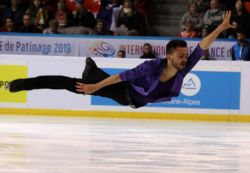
column 116, row 92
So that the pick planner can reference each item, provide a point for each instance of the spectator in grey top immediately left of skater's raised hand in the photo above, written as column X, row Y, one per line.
column 213, row 16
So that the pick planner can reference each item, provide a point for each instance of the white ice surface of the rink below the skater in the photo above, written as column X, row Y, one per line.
column 30, row 144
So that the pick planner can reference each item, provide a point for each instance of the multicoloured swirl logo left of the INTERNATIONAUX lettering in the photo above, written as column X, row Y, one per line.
column 103, row 49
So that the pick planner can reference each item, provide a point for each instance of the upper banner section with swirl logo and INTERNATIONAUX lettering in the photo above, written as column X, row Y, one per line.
column 105, row 47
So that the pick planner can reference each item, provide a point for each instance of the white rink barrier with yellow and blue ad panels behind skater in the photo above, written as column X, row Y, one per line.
column 219, row 91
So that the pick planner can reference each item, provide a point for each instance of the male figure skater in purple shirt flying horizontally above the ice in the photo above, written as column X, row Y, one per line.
column 152, row 81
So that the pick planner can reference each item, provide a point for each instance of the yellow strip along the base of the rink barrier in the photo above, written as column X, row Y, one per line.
column 124, row 115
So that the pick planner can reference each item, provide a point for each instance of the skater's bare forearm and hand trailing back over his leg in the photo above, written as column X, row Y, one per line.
column 91, row 88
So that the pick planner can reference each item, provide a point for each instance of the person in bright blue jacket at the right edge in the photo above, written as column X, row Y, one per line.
column 241, row 50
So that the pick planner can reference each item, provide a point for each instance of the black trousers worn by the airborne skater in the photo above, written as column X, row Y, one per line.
column 118, row 92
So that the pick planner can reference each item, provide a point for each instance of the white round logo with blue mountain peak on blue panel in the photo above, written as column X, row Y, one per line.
column 191, row 85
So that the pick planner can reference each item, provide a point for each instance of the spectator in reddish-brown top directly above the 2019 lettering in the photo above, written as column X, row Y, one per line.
column 62, row 14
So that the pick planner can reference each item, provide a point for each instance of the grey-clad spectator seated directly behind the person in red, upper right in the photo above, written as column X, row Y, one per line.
column 193, row 16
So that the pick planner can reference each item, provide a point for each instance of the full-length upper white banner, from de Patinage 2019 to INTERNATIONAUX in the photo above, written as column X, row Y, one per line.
column 100, row 46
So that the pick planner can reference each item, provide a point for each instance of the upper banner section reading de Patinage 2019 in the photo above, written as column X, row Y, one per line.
column 35, row 45
